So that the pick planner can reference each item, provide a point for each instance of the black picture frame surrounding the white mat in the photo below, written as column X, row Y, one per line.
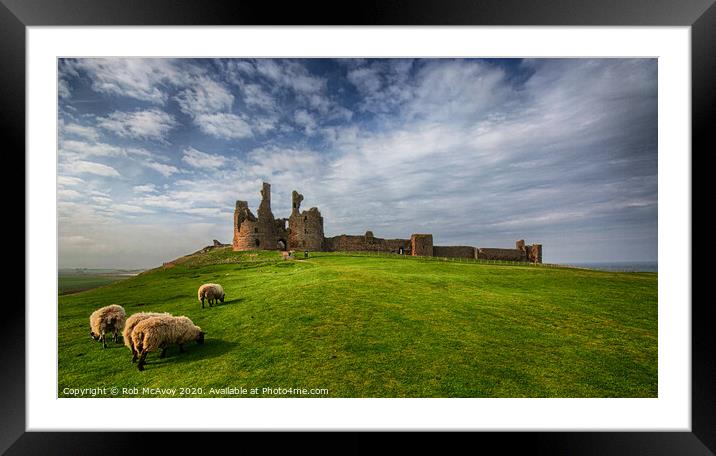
column 16, row 15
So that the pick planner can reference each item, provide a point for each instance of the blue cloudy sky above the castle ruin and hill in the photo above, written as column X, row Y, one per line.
column 154, row 153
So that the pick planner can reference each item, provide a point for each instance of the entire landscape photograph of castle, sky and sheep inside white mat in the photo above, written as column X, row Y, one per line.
column 357, row 227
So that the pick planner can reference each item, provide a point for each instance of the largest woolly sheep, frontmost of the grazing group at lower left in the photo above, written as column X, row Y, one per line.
column 162, row 331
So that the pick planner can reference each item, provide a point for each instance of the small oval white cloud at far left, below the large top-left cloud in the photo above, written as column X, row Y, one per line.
column 149, row 124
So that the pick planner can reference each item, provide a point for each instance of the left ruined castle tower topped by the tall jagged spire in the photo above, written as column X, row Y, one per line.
column 255, row 233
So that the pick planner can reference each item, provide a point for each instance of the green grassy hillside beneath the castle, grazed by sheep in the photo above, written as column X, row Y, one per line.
column 380, row 326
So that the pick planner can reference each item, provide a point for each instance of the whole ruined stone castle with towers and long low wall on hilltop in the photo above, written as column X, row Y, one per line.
column 305, row 232
